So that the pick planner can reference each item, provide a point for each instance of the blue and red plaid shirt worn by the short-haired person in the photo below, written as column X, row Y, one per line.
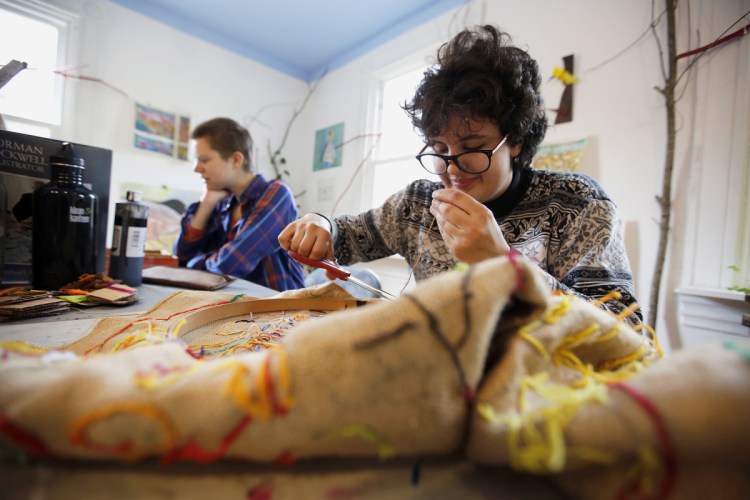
column 254, row 252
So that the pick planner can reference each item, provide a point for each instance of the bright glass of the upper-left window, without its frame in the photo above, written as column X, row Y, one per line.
column 31, row 93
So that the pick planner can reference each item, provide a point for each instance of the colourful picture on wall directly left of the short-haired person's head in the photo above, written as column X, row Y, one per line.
column 161, row 132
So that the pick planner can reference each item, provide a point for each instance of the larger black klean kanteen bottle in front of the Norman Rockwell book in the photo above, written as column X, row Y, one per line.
column 63, row 224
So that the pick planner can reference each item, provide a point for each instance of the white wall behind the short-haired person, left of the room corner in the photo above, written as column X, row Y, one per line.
column 156, row 65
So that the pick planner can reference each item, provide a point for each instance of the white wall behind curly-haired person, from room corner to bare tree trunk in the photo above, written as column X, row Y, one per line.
column 615, row 106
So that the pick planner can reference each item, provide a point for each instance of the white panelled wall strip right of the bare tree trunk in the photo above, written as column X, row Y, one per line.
column 712, row 183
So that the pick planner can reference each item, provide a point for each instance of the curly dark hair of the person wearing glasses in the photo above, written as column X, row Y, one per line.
column 478, row 74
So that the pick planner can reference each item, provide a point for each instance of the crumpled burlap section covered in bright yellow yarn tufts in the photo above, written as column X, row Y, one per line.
column 547, row 370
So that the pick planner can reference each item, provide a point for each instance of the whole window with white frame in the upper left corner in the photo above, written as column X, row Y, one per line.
column 31, row 102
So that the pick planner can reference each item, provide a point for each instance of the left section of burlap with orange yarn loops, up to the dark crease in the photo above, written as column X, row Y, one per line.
column 390, row 378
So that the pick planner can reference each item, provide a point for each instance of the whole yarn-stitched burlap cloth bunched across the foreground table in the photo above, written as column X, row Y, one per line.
column 484, row 362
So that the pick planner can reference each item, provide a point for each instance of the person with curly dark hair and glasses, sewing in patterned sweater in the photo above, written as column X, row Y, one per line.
column 482, row 117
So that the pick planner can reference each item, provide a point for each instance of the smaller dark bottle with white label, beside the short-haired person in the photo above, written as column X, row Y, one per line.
column 129, row 240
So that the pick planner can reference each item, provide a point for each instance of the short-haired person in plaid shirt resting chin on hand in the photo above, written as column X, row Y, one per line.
column 234, row 227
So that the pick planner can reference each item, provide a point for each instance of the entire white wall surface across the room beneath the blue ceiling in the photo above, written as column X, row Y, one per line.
column 616, row 107
